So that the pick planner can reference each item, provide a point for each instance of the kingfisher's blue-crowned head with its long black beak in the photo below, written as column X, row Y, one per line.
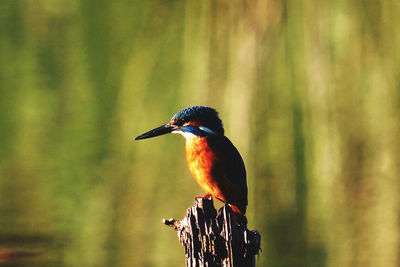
column 196, row 120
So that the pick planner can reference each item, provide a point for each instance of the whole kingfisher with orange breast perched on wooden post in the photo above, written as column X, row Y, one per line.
column 213, row 160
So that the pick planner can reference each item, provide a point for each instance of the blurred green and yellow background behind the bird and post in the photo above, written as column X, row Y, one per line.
column 309, row 92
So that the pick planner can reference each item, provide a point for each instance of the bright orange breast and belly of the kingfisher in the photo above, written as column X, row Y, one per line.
column 202, row 161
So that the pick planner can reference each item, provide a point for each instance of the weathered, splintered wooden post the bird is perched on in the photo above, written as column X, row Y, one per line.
column 214, row 239
